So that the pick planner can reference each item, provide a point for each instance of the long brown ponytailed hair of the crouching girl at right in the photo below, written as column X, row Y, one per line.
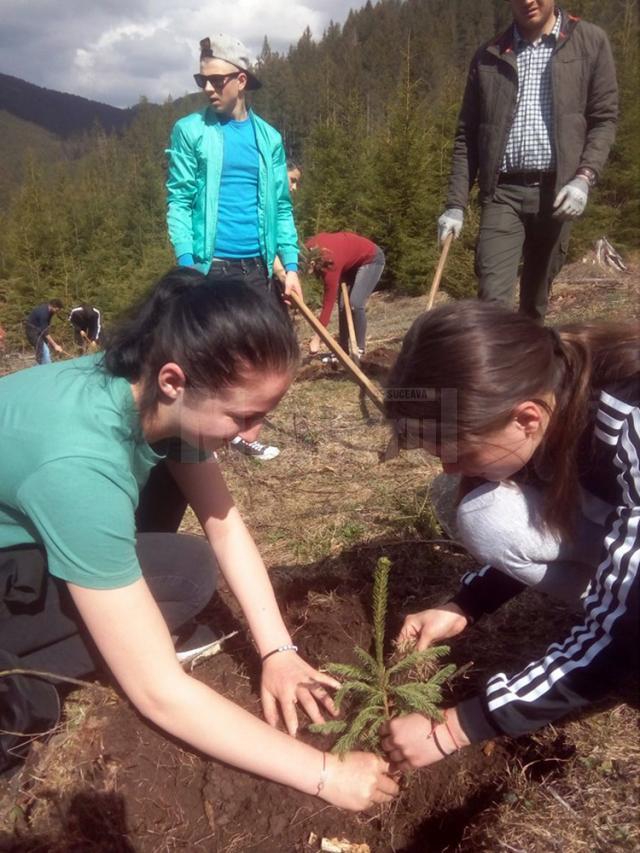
column 491, row 360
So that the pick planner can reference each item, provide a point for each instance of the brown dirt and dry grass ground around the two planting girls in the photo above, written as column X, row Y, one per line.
column 322, row 513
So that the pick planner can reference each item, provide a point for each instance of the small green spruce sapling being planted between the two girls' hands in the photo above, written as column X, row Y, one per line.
column 375, row 690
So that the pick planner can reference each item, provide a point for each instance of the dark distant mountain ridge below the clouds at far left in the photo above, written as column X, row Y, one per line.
column 58, row 112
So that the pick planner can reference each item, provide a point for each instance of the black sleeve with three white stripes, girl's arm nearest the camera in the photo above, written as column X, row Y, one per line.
column 583, row 667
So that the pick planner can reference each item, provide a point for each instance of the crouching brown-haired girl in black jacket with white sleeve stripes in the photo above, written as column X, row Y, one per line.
column 543, row 424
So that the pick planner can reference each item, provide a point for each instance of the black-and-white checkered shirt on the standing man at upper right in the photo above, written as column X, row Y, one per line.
column 530, row 144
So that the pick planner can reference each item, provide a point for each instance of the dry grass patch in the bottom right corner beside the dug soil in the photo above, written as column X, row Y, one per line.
column 587, row 801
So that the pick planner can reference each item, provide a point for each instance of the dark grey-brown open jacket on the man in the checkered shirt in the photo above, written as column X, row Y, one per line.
column 585, row 108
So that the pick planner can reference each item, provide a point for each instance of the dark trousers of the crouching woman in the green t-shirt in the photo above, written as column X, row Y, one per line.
column 41, row 629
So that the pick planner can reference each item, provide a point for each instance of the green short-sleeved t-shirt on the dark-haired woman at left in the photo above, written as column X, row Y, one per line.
column 72, row 463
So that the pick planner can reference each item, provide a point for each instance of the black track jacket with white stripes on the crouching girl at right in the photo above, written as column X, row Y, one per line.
column 587, row 663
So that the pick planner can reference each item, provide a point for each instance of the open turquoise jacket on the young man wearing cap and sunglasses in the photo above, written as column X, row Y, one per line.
column 193, row 183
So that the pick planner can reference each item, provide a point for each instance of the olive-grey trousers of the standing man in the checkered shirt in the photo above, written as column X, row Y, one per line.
column 517, row 224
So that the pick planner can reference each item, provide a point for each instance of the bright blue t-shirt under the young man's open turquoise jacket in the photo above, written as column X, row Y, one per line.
column 237, row 234
